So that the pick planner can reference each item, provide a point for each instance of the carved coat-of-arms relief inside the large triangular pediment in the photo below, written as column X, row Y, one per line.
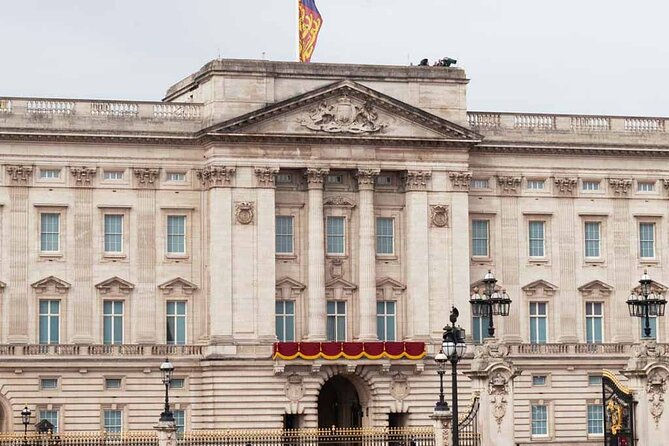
column 342, row 116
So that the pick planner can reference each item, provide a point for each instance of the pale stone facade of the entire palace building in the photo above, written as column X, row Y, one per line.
column 170, row 209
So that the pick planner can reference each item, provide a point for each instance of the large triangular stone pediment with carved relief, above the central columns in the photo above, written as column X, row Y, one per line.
column 345, row 109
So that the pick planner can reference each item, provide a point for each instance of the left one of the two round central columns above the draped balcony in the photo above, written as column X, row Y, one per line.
column 316, row 306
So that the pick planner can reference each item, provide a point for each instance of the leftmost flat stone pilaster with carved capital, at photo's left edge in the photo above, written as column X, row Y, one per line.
column 19, row 177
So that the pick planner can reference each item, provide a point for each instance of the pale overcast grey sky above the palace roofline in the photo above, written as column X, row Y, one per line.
column 565, row 56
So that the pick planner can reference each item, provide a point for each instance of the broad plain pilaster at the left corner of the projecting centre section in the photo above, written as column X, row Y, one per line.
column 216, row 180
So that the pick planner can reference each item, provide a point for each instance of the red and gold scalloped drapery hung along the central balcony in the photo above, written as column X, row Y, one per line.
column 348, row 350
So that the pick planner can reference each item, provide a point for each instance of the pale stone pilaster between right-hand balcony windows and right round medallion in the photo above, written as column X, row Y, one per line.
column 417, row 268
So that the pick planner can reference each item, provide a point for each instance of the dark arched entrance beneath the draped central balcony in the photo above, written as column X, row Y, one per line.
column 339, row 404
